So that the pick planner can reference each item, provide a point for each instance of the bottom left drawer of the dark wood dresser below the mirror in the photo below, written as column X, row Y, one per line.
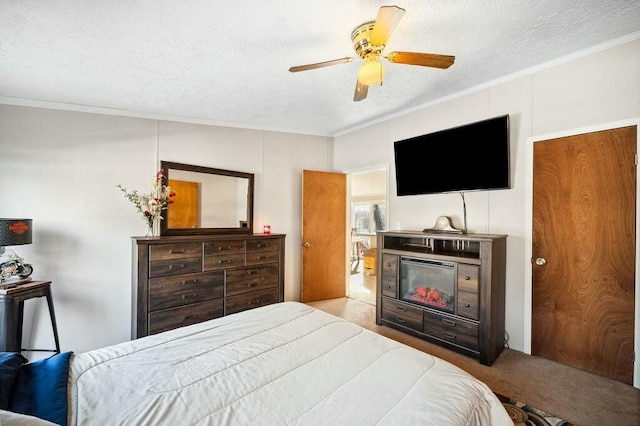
column 169, row 319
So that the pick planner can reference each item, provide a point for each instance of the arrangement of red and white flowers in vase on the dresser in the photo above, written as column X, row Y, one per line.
column 151, row 204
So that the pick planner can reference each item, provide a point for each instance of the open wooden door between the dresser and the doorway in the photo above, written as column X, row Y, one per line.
column 324, row 215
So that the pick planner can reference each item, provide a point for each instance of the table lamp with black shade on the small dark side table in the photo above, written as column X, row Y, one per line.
column 14, row 232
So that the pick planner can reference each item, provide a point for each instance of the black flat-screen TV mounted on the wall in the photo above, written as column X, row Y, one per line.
column 471, row 157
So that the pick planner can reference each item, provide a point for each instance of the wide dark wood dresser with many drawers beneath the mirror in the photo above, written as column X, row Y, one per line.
column 183, row 280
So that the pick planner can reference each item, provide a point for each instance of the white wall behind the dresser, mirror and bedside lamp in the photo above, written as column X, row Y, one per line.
column 61, row 169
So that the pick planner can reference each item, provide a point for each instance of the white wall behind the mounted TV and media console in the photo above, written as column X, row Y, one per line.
column 592, row 88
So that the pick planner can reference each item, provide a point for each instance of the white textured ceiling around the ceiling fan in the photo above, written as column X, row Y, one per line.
column 227, row 63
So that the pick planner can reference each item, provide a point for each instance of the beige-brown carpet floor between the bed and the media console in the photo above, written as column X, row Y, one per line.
column 574, row 395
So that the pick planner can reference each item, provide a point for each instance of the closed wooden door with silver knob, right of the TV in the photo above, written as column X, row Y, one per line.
column 584, row 190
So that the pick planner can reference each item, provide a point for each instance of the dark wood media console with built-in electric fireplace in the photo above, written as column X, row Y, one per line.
column 466, row 312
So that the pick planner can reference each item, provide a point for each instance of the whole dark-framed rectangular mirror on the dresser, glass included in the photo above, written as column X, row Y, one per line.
column 207, row 201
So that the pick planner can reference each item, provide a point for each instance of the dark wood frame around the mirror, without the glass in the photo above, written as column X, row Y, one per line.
column 165, row 230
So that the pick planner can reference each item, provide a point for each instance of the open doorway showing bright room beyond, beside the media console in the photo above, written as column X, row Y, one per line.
column 367, row 215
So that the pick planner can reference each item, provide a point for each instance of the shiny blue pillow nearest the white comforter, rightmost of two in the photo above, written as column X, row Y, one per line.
column 41, row 389
